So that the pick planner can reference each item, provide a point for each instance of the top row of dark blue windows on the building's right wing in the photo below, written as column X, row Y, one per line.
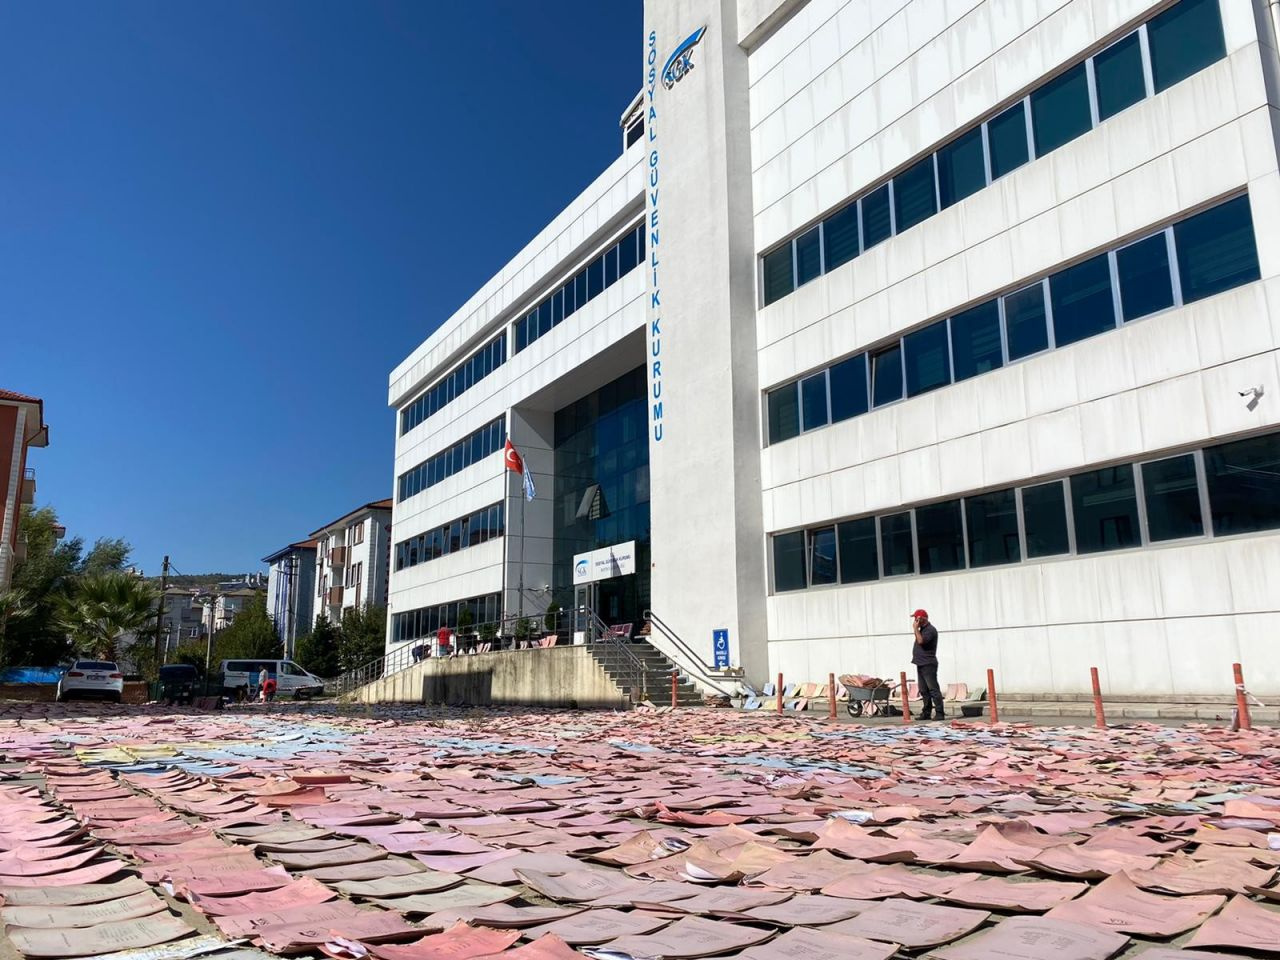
column 1183, row 40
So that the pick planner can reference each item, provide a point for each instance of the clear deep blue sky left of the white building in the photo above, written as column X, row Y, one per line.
column 222, row 225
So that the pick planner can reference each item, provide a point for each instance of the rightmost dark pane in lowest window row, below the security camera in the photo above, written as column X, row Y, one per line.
column 1245, row 486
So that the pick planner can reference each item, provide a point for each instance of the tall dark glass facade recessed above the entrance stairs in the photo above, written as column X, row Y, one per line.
column 602, row 492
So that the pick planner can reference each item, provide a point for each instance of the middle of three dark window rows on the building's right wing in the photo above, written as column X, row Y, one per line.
column 1215, row 252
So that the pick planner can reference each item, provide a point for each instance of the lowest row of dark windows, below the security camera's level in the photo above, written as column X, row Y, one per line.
column 1091, row 511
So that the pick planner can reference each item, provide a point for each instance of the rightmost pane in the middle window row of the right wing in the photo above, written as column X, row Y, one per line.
column 1217, row 250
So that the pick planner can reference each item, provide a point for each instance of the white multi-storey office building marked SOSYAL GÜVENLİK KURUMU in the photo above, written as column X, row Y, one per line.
column 956, row 305
